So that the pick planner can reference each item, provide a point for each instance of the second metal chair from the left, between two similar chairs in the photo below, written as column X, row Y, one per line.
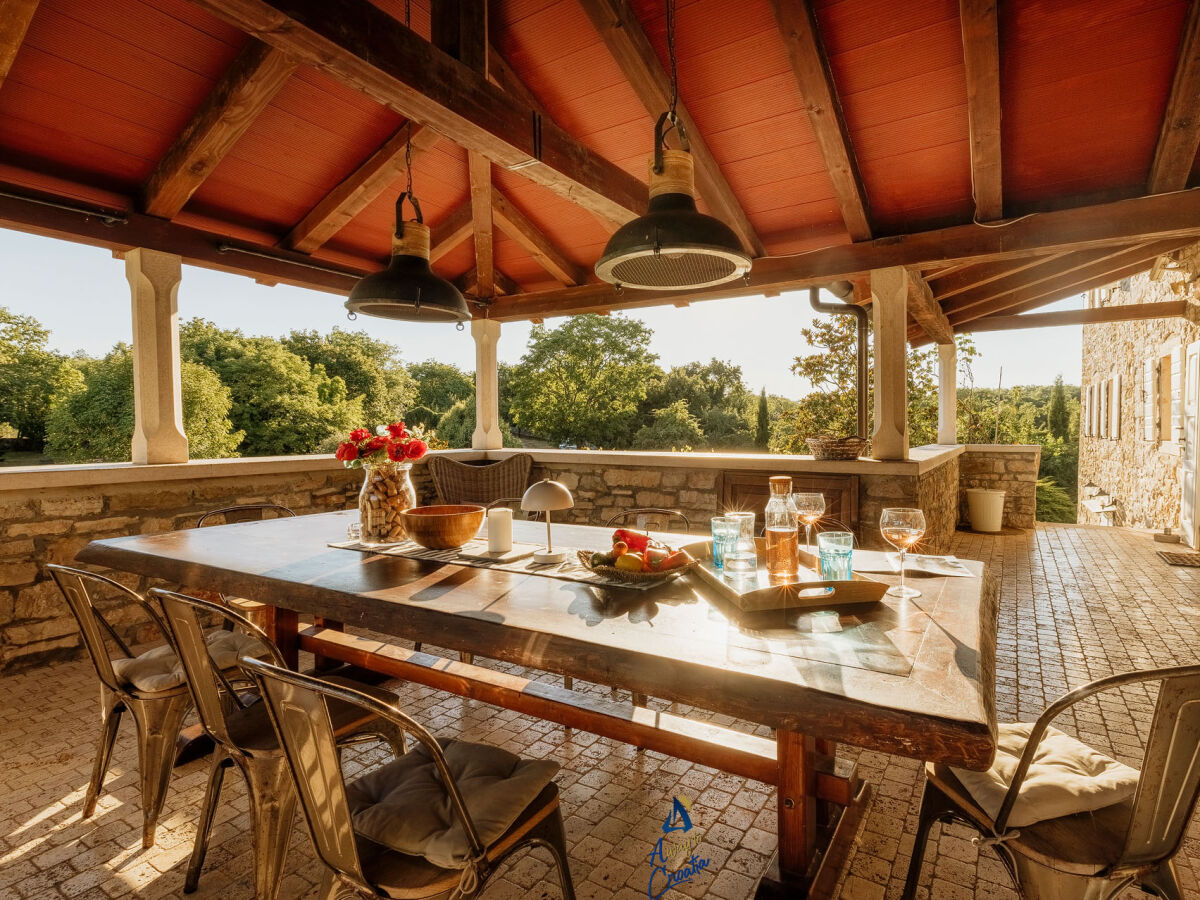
column 244, row 737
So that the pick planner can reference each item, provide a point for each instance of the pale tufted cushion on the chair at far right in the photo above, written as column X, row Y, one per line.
column 1066, row 777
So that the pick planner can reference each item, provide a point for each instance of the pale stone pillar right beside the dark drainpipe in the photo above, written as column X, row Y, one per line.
column 890, row 307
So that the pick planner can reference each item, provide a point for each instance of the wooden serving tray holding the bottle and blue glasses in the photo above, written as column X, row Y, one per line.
column 757, row 593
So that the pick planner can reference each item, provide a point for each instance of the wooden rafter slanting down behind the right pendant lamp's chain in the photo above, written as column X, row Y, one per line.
column 629, row 46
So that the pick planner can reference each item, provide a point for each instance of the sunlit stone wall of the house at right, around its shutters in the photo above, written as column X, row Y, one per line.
column 1143, row 477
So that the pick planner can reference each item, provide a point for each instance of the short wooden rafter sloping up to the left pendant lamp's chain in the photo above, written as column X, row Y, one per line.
column 361, row 189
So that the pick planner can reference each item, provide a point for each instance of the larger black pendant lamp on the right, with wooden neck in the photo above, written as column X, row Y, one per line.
column 674, row 247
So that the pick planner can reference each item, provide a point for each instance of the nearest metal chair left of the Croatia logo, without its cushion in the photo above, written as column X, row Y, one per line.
column 299, row 707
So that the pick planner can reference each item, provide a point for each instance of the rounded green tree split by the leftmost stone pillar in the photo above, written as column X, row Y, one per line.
column 92, row 412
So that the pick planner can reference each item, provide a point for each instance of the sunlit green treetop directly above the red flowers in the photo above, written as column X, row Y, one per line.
column 371, row 370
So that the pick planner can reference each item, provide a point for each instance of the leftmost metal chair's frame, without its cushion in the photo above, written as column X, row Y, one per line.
column 158, row 716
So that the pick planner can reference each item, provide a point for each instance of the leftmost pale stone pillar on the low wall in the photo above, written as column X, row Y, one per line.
column 158, row 399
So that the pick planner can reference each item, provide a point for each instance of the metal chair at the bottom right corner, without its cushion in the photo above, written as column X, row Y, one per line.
column 1091, row 856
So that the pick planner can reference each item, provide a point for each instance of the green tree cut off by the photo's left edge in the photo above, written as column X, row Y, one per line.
column 28, row 375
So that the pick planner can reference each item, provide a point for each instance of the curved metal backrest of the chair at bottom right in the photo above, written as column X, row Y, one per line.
column 1171, row 770
